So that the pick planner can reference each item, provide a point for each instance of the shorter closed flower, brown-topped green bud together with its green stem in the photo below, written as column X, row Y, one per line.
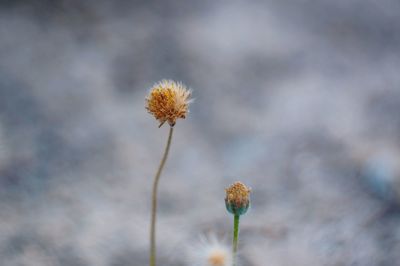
column 237, row 202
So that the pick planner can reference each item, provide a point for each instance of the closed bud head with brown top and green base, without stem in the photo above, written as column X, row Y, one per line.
column 237, row 198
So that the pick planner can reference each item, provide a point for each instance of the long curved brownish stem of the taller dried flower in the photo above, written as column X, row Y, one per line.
column 152, row 260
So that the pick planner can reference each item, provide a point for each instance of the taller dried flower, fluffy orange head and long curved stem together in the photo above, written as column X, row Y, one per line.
column 167, row 101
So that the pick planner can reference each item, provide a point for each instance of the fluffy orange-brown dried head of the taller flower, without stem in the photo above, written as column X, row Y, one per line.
column 168, row 100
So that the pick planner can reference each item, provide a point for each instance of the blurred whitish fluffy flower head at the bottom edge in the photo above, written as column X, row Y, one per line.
column 210, row 252
